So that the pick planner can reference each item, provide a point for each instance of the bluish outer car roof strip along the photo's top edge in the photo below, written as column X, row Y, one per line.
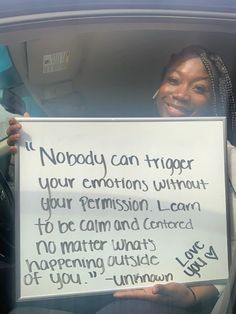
column 27, row 7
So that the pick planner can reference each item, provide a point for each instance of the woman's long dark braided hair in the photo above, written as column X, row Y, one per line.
column 222, row 103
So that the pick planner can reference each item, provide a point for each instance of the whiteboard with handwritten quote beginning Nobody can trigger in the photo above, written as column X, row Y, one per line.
column 112, row 204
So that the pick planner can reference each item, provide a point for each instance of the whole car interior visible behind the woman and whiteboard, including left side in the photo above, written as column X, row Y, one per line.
column 102, row 66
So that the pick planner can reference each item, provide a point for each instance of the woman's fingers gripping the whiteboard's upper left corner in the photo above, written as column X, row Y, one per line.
column 13, row 133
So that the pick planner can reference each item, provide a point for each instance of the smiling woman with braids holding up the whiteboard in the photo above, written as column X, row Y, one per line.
column 194, row 83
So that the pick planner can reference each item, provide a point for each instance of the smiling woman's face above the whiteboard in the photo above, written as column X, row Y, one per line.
column 185, row 90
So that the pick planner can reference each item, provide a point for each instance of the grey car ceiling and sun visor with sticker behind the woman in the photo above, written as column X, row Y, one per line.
column 105, row 68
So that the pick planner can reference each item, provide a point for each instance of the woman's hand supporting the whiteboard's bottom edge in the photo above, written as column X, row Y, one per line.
column 172, row 293
